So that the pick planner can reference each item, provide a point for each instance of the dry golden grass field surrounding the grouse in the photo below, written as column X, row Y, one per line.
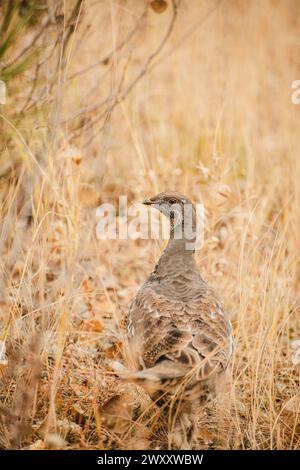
column 211, row 117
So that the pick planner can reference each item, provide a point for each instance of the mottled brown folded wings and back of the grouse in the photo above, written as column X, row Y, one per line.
column 192, row 334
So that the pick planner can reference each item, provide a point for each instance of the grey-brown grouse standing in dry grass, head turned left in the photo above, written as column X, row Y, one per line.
column 179, row 338
